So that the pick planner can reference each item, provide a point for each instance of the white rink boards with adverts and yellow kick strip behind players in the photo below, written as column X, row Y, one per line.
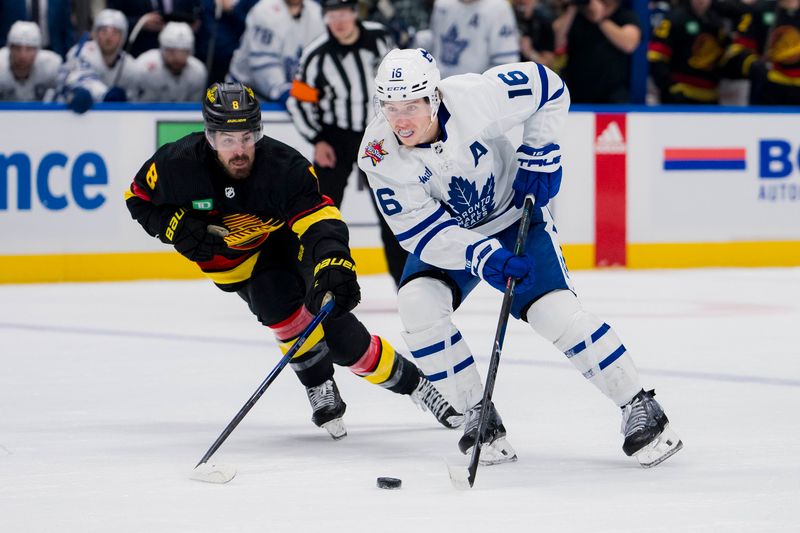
column 642, row 188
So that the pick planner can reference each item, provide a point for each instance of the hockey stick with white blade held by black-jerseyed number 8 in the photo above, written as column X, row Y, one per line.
column 220, row 473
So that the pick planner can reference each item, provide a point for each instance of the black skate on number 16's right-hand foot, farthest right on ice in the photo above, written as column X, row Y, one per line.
column 648, row 436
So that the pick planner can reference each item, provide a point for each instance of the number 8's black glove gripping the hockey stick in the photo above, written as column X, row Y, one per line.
column 337, row 275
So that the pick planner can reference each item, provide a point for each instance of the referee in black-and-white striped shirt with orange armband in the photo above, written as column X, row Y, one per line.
column 331, row 103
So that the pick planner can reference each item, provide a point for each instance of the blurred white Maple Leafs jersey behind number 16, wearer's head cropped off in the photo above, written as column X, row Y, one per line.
column 471, row 37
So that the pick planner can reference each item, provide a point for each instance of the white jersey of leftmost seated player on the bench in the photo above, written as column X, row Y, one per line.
column 43, row 77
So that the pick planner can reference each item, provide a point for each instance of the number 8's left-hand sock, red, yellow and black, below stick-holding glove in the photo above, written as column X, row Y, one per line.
column 312, row 362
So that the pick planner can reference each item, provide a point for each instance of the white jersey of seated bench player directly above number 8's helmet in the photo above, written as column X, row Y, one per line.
column 159, row 84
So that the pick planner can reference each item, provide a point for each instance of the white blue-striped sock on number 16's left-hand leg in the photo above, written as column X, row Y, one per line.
column 426, row 308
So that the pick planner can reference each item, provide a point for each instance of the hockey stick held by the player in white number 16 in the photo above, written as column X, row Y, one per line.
column 465, row 479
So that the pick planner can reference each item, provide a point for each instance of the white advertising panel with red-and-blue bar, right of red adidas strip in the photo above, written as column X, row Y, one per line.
column 713, row 177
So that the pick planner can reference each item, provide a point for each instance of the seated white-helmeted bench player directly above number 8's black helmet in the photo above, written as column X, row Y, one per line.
column 170, row 73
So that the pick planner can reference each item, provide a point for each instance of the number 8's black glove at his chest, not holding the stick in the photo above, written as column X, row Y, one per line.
column 190, row 237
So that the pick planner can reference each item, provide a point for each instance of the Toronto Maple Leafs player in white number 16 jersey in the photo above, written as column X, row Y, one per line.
column 451, row 186
